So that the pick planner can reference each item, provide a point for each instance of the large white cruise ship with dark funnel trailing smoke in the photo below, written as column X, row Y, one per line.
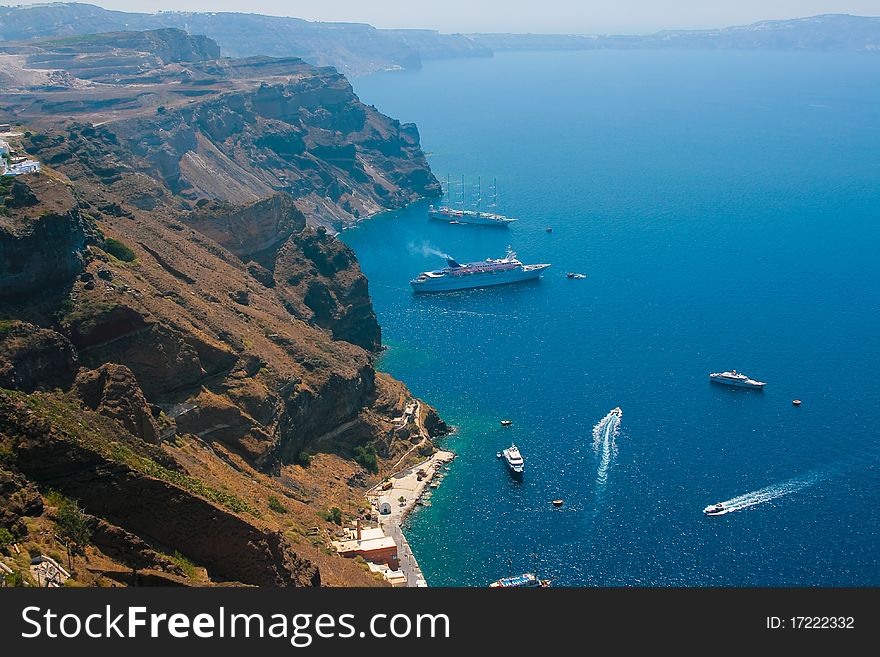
column 456, row 276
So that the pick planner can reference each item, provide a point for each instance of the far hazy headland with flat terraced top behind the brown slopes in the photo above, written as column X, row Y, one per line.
column 231, row 130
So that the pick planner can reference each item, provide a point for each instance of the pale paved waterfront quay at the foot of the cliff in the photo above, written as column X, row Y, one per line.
column 407, row 484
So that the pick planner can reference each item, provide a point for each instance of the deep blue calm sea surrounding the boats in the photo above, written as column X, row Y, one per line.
column 725, row 209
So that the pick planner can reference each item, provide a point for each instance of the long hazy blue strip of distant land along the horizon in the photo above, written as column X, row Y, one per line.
column 359, row 49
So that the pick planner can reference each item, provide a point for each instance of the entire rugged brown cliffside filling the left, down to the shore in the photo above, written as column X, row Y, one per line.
column 193, row 361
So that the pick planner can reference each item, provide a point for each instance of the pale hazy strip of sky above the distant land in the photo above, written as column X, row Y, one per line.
column 549, row 16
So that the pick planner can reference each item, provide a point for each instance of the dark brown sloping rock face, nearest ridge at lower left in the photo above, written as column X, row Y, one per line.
column 159, row 510
